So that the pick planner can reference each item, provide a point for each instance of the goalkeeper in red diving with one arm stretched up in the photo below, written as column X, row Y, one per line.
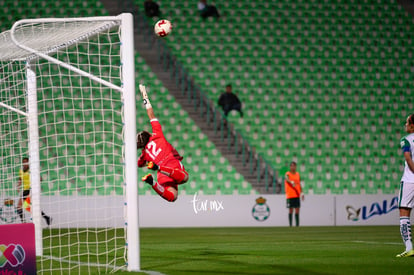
column 159, row 155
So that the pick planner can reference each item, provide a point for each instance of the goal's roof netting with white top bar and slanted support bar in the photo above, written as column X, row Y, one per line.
column 14, row 44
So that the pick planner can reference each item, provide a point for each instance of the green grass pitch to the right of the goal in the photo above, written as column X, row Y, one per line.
column 275, row 250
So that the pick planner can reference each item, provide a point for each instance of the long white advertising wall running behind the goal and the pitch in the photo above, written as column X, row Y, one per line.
column 222, row 210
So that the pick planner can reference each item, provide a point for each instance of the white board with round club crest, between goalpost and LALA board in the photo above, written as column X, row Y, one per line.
column 243, row 210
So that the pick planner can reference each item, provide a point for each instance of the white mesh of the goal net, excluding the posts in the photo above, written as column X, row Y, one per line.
column 80, row 142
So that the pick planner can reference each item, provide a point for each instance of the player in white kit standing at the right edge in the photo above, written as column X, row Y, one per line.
column 406, row 195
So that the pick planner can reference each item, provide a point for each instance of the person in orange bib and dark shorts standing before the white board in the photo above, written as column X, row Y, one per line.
column 293, row 192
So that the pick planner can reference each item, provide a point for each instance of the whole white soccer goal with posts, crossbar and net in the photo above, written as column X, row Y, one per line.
column 68, row 105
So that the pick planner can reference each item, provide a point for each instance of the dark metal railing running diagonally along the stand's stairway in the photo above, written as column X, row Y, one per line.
column 265, row 173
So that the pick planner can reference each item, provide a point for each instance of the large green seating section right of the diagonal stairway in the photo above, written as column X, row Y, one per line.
column 323, row 83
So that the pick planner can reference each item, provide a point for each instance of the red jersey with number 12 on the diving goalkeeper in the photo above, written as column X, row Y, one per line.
column 158, row 149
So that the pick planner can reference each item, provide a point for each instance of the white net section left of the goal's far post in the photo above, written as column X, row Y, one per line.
column 13, row 138
